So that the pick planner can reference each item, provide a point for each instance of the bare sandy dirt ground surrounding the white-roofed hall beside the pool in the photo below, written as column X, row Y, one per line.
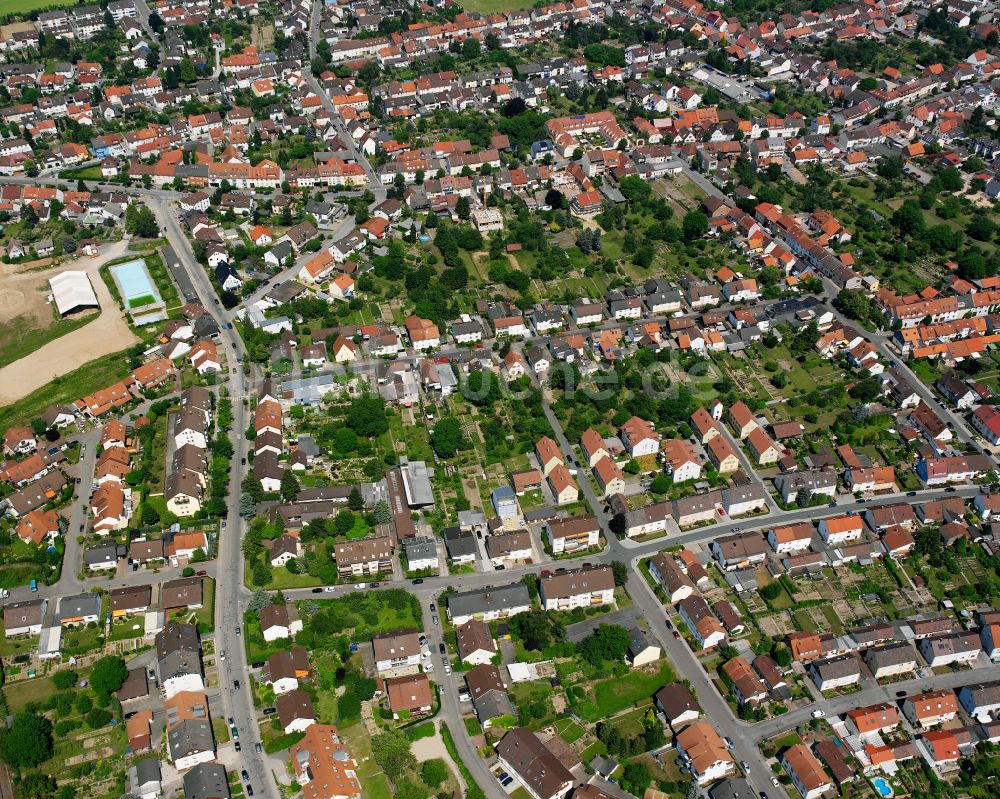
column 23, row 293
